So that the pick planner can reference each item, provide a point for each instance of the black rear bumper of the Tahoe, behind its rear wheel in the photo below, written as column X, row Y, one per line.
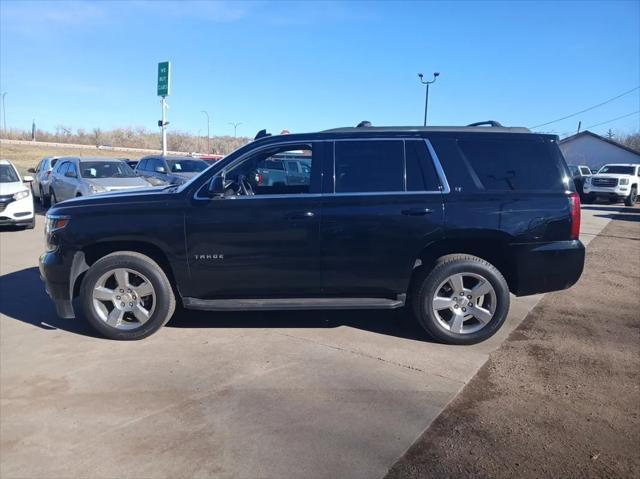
column 541, row 268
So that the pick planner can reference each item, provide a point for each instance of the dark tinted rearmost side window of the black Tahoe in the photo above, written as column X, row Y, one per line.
column 512, row 164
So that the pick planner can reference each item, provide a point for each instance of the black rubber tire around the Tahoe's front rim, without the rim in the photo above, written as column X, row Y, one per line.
column 165, row 299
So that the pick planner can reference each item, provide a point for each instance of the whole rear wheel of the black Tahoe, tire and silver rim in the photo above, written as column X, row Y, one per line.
column 462, row 300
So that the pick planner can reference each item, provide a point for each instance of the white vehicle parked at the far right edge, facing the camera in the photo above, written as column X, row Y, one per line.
column 615, row 182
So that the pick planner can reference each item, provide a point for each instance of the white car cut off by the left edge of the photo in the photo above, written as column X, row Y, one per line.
column 16, row 200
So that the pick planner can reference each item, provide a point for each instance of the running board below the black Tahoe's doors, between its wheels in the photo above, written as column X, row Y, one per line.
column 292, row 304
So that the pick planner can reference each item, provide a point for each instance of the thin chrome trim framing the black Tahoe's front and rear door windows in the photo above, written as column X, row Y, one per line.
column 444, row 188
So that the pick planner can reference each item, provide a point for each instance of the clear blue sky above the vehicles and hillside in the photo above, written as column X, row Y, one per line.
column 314, row 65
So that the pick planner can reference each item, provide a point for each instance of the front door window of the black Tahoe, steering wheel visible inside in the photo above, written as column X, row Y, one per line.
column 273, row 171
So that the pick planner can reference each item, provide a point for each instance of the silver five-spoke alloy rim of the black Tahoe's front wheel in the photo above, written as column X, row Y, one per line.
column 124, row 298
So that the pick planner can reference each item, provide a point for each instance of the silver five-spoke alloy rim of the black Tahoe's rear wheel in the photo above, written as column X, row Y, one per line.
column 464, row 303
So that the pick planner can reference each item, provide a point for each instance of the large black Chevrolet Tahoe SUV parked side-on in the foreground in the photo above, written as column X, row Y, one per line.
column 445, row 220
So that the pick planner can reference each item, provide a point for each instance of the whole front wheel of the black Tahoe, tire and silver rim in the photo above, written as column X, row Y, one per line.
column 127, row 296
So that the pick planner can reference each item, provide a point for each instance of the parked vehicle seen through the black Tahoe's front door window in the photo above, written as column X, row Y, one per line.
column 284, row 170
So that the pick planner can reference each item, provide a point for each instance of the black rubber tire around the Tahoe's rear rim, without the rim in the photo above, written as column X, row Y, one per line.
column 427, row 281
